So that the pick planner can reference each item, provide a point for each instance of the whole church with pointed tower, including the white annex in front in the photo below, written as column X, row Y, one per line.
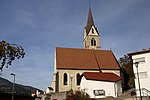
column 91, row 69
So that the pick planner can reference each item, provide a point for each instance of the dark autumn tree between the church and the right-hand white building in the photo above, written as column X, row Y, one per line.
column 127, row 70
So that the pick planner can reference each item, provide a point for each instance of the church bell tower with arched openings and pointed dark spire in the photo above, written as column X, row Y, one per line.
column 91, row 34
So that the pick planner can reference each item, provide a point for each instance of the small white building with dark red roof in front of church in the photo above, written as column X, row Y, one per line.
column 101, row 85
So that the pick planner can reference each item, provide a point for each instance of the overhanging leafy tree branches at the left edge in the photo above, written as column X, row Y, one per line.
column 8, row 53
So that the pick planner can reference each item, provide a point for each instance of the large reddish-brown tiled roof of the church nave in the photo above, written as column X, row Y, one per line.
column 87, row 59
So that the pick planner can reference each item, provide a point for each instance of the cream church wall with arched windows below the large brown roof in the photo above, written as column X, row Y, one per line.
column 73, row 73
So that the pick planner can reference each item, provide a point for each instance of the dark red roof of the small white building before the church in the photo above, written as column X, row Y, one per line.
column 99, row 76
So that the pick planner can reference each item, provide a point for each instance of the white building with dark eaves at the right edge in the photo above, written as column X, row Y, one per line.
column 143, row 59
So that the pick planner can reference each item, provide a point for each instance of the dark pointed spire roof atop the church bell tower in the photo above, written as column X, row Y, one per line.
column 90, row 22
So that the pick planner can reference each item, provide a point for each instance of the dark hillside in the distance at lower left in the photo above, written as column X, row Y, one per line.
column 6, row 87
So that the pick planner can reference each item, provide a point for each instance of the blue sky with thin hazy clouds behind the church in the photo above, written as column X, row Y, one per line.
column 40, row 26
